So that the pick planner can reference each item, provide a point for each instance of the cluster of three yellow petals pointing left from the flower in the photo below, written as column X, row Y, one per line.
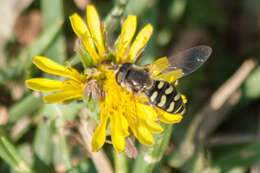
column 68, row 89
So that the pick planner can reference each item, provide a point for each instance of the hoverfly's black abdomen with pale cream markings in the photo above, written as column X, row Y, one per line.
column 165, row 96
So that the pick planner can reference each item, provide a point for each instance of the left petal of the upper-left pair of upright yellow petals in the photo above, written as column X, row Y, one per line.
column 81, row 30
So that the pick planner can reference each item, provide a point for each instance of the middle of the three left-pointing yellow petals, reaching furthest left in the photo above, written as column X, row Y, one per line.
column 42, row 84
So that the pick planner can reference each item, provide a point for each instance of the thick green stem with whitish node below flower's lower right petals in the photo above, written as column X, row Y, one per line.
column 146, row 161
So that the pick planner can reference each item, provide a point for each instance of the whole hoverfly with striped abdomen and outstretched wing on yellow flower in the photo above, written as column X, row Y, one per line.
column 151, row 79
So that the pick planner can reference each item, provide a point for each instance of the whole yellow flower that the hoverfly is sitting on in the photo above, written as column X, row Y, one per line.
column 123, row 111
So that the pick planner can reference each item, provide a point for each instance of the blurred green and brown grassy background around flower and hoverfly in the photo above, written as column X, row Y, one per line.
column 220, row 131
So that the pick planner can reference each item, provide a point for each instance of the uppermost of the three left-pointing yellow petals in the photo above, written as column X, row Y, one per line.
column 49, row 66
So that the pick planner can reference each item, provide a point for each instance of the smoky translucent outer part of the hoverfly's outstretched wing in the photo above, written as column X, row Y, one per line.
column 189, row 60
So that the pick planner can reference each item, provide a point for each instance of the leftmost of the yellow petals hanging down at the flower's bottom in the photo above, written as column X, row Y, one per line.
column 99, row 136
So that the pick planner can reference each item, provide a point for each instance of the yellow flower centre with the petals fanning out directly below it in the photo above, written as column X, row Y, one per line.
column 124, row 110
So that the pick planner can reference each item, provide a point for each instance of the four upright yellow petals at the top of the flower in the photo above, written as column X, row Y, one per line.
column 92, row 37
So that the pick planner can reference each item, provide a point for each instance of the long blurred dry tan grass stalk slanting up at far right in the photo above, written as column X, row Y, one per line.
column 213, row 112
